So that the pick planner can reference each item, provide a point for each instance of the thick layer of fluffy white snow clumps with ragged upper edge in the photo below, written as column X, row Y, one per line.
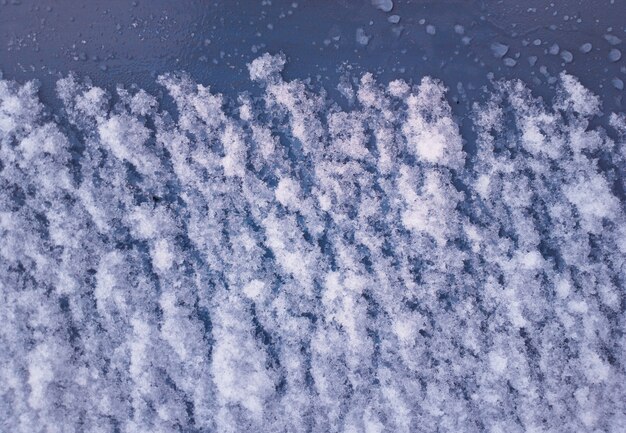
column 279, row 264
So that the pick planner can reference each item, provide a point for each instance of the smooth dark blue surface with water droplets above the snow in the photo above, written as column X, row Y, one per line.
column 119, row 41
